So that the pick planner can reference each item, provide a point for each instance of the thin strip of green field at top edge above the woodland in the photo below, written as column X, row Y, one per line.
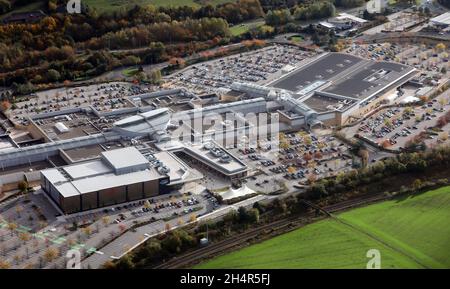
column 113, row 5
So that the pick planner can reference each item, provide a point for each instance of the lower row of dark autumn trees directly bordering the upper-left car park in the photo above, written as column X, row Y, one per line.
column 51, row 66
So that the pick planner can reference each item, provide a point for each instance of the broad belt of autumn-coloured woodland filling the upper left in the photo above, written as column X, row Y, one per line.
column 78, row 46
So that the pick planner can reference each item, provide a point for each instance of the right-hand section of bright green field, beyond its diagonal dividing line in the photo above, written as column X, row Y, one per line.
column 417, row 225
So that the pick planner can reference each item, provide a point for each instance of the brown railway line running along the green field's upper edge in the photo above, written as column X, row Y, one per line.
column 237, row 240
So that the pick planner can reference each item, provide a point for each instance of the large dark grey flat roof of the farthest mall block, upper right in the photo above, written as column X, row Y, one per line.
column 344, row 76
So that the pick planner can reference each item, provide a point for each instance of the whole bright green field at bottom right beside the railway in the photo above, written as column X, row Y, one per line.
column 409, row 233
